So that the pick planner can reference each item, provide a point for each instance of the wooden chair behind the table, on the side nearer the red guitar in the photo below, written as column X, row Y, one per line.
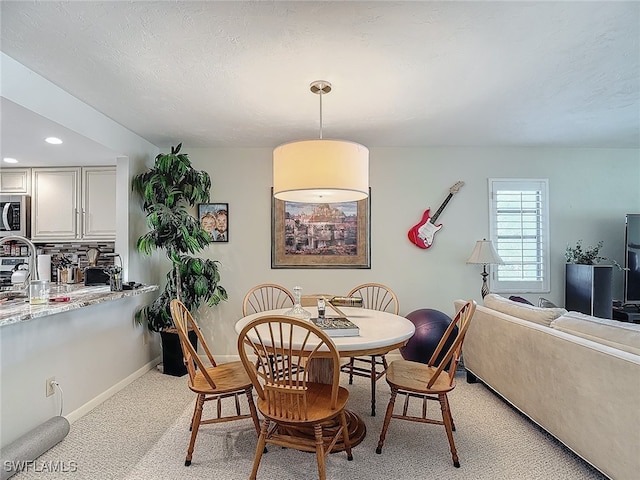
column 375, row 296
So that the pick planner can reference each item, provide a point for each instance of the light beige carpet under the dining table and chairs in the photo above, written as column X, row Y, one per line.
column 142, row 433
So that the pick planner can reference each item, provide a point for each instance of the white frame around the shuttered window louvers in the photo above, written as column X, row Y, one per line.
column 541, row 186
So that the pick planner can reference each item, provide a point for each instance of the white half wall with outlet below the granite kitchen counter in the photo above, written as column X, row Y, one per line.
column 88, row 351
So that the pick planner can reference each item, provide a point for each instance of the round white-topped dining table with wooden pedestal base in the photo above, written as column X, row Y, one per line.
column 380, row 332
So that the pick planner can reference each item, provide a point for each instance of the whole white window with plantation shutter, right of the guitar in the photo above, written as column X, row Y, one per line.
column 519, row 224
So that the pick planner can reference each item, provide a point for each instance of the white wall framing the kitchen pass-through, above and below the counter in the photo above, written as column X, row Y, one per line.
column 96, row 348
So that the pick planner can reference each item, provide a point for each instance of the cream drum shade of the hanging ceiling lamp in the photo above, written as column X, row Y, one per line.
column 321, row 171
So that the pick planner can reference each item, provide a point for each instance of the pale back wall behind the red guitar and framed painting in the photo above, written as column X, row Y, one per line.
column 590, row 192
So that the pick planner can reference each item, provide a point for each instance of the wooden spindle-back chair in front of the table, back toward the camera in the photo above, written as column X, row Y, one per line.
column 292, row 403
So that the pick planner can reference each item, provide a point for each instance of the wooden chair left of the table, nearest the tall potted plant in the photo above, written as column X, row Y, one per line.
column 210, row 381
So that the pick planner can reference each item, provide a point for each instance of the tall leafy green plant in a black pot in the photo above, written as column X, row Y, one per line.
column 168, row 191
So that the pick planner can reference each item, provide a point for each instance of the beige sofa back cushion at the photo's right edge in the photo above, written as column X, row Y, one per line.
column 620, row 335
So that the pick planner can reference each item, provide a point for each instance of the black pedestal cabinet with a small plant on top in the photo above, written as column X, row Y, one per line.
column 588, row 289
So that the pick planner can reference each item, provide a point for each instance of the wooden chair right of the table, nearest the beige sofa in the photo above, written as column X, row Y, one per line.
column 431, row 381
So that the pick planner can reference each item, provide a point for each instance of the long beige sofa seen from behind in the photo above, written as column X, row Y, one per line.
column 576, row 376
